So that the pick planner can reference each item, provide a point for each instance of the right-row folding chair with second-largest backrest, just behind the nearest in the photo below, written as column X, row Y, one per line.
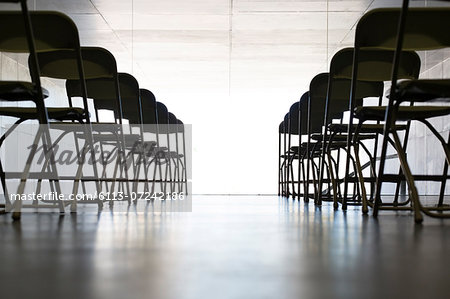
column 374, row 67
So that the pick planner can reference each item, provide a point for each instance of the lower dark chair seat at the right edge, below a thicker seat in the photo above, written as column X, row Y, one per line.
column 404, row 113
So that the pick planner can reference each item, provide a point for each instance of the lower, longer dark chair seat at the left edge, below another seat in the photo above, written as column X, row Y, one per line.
column 56, row 113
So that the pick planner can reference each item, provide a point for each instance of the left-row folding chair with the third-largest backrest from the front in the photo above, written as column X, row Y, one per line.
column 117, row 94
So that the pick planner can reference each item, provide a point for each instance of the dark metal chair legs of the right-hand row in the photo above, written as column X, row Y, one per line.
column 295, row 180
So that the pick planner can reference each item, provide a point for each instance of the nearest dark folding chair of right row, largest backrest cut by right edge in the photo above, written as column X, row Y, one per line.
column 408, row 29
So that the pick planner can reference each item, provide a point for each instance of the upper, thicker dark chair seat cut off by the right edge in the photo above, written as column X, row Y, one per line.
column 424, row 90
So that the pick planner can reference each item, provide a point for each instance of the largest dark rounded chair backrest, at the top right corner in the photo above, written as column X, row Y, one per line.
column 426, row 28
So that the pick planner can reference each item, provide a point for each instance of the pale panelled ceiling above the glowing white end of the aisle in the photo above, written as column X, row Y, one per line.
column 218, row 45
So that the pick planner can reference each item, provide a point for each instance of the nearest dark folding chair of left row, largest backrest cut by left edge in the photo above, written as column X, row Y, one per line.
column 51, row 30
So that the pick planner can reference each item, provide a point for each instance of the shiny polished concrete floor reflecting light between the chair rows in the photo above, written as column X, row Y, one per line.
column 228, row 247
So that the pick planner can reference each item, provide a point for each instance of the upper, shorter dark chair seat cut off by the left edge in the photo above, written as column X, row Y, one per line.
column 19, row 91
